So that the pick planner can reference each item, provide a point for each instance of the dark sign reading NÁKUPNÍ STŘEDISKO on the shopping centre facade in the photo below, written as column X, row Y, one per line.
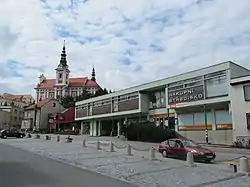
column 186, row 95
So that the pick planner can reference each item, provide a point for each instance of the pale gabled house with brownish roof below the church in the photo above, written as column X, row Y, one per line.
column 36, row 115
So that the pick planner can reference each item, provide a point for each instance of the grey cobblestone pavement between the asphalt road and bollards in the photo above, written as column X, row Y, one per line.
column 137, row 169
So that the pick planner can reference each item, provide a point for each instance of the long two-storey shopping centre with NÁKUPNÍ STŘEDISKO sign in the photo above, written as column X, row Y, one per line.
column 195, row 104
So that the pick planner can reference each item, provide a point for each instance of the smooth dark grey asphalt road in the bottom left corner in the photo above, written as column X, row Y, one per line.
column 19, row 168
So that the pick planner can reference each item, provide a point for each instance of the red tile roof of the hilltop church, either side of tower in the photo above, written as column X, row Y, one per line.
column 73, row 82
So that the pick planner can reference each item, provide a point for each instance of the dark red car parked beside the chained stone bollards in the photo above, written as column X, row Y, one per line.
column 179, row 148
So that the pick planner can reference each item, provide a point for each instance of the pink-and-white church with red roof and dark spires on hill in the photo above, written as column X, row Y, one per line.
column 63, row 85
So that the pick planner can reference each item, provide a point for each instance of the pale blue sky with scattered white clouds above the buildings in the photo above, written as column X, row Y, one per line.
column 129, row 42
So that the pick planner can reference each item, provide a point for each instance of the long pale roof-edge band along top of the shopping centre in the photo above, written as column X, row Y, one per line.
column 179, row 77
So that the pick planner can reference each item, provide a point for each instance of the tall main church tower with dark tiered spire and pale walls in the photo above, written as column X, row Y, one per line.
column 62, row 74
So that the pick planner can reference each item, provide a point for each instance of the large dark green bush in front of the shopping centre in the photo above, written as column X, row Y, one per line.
column 148, row 132
